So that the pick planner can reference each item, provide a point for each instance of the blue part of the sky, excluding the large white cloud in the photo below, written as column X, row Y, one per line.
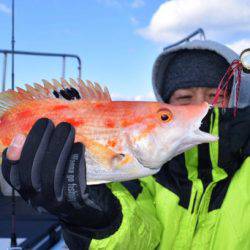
column 102, row 33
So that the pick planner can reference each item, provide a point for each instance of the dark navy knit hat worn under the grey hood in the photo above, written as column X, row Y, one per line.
column 192, row 68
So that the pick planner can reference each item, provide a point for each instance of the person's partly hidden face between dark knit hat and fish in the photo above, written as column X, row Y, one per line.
column 196, row 96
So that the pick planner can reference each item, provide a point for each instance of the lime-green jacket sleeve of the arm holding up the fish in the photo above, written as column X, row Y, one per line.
column 138, row 229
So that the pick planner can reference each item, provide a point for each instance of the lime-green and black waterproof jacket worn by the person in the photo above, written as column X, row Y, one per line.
column 199, row 200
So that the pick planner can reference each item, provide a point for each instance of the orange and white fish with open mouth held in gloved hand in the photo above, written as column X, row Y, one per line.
column 124, row 139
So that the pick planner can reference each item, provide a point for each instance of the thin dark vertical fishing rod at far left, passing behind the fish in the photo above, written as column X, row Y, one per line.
column 13, row 216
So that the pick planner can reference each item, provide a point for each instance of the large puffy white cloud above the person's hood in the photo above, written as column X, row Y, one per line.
column 221, row 20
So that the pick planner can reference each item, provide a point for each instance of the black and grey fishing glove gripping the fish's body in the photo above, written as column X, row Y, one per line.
column 51, row 176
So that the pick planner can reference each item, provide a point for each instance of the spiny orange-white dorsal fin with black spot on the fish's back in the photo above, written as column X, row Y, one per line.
column 63, row 89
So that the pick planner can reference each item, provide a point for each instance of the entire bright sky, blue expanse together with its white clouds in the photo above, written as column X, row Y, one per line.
column 117, row 40
